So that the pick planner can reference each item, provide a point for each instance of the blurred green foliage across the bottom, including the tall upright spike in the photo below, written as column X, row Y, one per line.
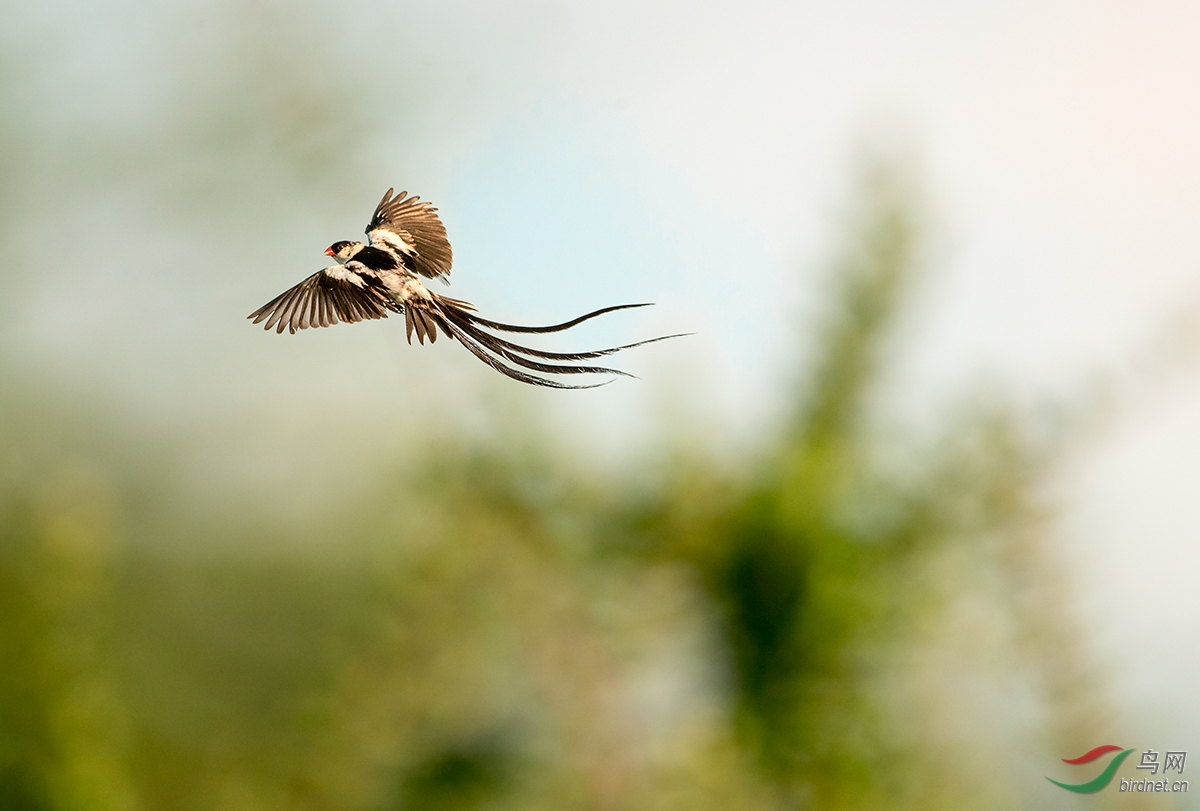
column 494, row 627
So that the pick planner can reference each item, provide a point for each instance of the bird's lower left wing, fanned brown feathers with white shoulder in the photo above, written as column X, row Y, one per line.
column 328, row 297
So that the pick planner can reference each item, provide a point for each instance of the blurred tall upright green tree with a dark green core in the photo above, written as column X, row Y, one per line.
column 802, row 563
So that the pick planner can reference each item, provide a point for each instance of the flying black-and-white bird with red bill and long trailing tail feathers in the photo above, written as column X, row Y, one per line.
column 407, row 243
